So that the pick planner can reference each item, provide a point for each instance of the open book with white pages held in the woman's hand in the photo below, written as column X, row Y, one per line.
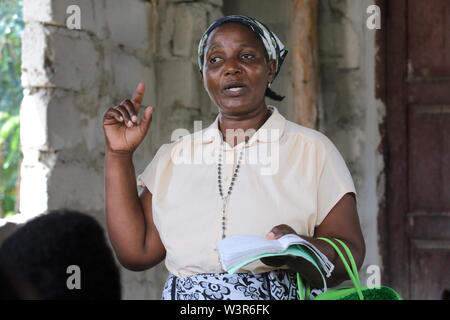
column 240, row 250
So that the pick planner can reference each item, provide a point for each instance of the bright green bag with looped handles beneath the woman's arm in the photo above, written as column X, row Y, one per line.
column 350, row 293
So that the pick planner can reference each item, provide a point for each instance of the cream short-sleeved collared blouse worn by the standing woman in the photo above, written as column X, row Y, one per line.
column 289, row 174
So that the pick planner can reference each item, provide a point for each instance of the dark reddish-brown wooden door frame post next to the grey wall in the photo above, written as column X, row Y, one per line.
column 391, row 74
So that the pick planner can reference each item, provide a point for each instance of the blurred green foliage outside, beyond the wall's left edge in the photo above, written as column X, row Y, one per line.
column 11, row 27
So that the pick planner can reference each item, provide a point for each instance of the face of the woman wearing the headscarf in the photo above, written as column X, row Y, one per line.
column 235, row 70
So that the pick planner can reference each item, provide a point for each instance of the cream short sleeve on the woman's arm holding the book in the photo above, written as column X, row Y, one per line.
column 334, row 181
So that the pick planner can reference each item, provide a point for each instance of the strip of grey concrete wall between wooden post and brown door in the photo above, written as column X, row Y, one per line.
column 350, row 114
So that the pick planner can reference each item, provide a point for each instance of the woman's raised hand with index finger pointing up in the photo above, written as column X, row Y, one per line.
column 122, row 131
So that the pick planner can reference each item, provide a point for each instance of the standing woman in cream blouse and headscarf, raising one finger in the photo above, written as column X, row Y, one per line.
column 186, row 207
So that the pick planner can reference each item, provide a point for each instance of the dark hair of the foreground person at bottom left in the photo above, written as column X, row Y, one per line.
column 42, row 250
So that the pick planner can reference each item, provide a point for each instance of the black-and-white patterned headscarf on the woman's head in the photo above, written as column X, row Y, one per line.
column 274, row 47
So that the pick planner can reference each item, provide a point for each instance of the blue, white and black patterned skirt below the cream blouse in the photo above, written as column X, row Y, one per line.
column 274, row 285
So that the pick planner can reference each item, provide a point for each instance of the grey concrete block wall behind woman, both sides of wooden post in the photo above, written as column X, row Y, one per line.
column 72, row 76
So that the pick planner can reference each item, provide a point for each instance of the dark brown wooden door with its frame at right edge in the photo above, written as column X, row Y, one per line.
column 418, row 147
